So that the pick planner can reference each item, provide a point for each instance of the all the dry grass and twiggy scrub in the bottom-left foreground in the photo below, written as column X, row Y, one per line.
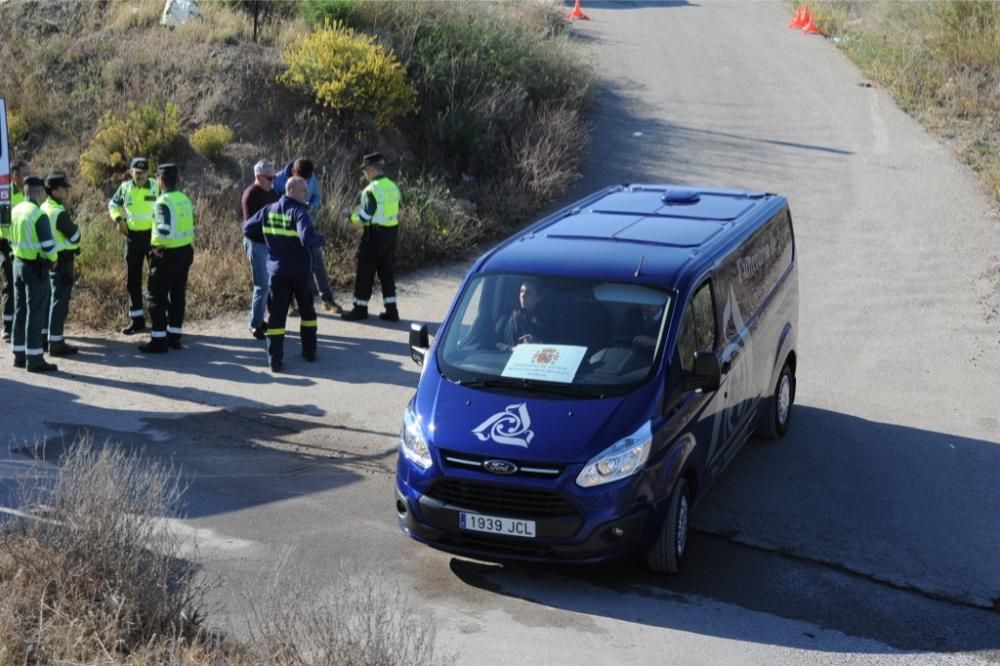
column 97, row 577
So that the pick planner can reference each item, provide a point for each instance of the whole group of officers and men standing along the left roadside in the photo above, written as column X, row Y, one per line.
column 39, row 243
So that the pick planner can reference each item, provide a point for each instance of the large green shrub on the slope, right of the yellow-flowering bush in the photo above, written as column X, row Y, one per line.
column 481, row 71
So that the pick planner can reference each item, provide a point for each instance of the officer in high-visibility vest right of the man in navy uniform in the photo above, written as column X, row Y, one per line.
column 379, row 215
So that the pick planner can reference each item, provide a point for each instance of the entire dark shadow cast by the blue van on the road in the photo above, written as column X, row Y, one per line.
column 800, row 528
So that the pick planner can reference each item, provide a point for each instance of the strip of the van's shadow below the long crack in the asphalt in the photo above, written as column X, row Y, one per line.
column 767, row 584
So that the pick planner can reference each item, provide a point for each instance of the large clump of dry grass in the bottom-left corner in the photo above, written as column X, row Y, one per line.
column 99, row 575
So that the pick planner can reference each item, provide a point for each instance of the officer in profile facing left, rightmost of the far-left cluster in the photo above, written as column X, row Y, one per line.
column 67, row 237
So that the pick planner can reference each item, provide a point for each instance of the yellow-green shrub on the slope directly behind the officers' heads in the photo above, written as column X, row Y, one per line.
column 148, row 129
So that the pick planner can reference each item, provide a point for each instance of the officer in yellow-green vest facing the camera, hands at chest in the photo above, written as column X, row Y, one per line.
column 132, row 209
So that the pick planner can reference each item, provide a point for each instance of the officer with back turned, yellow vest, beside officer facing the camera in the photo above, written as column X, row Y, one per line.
column 169, row 262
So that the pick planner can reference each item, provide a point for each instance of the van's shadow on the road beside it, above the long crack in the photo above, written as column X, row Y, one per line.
column 912, row 507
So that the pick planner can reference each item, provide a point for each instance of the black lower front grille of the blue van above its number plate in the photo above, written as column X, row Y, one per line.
column 500, row 500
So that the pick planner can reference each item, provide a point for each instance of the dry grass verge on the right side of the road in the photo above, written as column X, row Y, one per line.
column 940, row 60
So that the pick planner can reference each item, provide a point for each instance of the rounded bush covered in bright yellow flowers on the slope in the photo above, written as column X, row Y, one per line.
column 350, row 74
